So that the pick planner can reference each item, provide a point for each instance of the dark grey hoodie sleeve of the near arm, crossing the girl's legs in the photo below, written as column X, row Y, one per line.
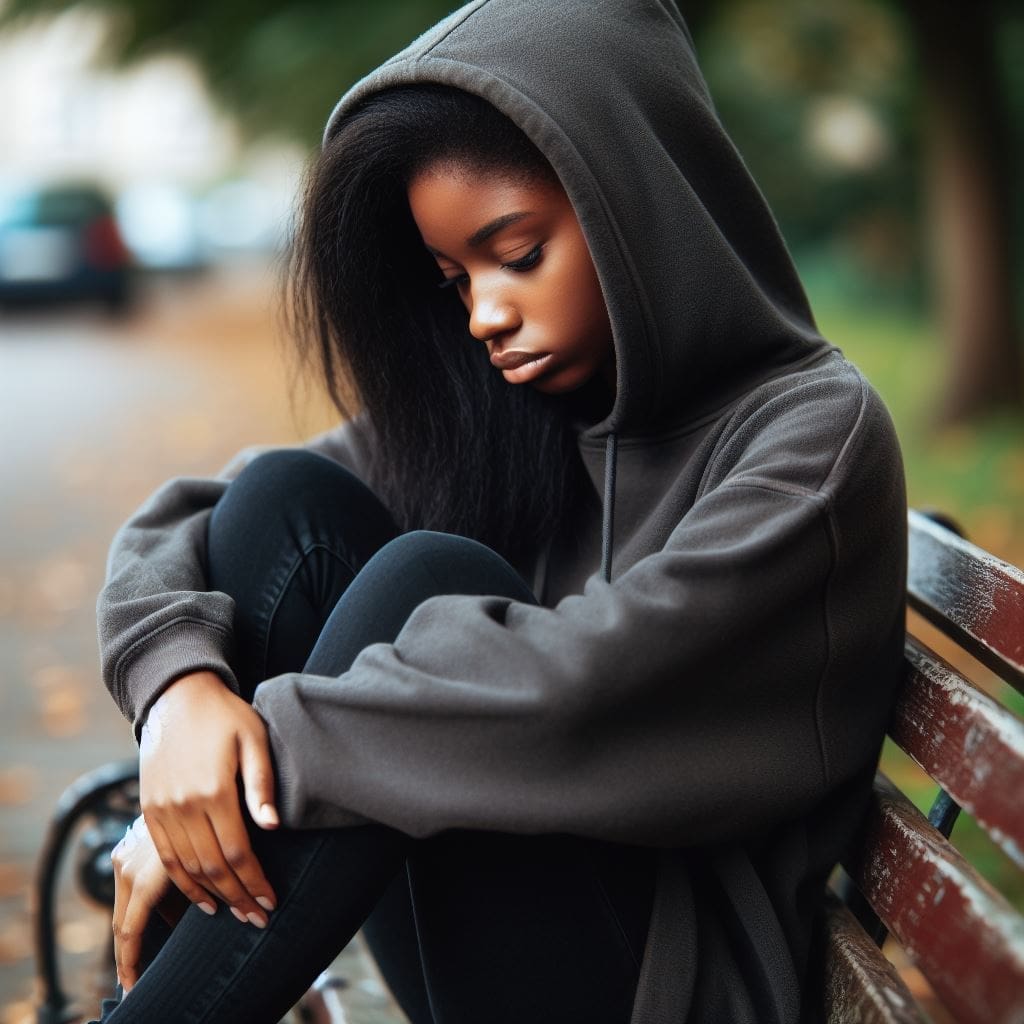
column 708, row 691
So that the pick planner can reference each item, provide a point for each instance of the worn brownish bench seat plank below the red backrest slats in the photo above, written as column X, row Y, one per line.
column 861, row 987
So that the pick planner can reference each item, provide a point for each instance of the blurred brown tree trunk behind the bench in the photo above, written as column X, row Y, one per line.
column 969, row 204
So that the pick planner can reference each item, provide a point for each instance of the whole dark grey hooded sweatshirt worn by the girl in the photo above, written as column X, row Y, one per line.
column 719, row 688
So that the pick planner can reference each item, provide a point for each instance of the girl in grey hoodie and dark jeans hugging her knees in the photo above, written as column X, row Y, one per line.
column 565, row 662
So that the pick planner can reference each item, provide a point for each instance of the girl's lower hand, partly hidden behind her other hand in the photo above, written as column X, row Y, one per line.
column 142, row 886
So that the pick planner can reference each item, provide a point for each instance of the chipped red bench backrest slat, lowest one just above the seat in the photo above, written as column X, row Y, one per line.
column 963, row 935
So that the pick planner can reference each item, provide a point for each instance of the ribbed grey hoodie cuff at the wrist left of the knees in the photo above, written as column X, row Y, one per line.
column 176, row 651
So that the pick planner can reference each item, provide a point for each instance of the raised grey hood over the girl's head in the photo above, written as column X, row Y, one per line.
column 703, row 296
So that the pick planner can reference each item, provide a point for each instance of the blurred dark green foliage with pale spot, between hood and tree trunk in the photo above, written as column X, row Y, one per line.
column 797, row 83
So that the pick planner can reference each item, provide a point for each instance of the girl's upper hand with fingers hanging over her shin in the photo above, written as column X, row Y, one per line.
column 197, row 741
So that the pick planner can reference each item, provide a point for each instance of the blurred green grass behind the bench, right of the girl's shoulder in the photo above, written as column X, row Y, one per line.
column 974, row 473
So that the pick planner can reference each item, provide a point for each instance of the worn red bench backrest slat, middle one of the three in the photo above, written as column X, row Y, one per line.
column 972, row 746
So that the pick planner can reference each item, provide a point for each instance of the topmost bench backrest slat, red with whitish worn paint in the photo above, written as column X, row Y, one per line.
column 971, row 595
